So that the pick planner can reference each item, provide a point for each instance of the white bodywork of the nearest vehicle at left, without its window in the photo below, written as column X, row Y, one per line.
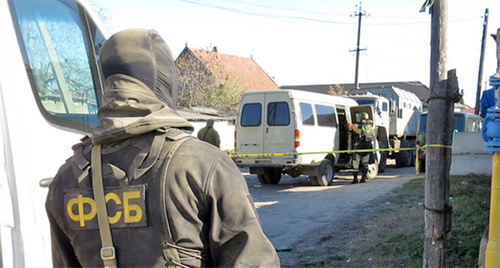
column 32, row 151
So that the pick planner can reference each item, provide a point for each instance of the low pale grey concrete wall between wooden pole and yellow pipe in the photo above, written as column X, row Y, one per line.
column 469, row 156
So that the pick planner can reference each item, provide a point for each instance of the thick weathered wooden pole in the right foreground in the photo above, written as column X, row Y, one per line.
column 437, row 209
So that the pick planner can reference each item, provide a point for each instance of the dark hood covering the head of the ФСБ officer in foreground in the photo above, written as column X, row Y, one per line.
column 140, row 92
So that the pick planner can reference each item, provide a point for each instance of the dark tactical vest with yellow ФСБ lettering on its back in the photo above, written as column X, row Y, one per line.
column 135, row 201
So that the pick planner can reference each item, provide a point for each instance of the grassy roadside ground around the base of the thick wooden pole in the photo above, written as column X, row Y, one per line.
column 392, row 234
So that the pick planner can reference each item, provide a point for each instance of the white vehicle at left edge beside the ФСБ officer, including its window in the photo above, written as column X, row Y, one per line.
column 50, row 90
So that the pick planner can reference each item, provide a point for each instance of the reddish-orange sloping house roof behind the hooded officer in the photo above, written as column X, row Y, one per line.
column 226, row 67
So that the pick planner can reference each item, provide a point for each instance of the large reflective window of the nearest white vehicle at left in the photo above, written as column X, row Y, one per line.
column 60, row 65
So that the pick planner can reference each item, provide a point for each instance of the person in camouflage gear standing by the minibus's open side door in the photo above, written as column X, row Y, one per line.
column 363, row 140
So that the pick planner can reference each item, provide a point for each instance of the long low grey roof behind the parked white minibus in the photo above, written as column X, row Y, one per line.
column 416, row 87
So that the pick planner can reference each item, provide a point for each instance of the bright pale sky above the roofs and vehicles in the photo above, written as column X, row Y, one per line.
column 309, row 42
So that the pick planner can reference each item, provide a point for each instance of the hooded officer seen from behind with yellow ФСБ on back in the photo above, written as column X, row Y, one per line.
column 169, row 199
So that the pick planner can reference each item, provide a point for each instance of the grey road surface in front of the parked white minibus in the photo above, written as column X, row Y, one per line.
column 297, row 216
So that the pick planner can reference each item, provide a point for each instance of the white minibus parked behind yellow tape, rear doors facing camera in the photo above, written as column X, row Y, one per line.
column 294, row 132
